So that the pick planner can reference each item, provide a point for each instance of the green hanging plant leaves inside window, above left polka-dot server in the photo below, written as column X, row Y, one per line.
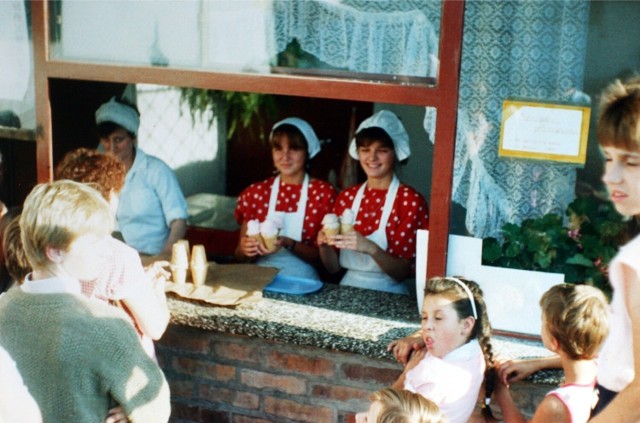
column 243, row 110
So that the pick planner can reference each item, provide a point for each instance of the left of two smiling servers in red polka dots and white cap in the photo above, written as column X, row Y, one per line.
column 292, row 198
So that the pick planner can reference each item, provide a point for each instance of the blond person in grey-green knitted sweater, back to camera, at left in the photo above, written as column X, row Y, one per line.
column 76, row 355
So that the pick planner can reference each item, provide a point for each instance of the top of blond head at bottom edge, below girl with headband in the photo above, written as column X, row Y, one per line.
column 400, row 406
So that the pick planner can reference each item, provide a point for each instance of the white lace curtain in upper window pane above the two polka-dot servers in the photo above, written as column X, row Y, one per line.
column 382, row 36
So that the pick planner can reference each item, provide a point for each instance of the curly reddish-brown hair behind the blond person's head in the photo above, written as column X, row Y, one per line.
column 104, row 172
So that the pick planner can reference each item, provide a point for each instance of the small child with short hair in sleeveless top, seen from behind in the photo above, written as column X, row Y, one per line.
column 574, row 326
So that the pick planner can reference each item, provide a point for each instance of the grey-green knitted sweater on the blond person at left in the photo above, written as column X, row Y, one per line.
column 76, row 355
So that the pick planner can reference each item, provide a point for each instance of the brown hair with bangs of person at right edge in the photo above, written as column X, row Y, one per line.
column 619, row 115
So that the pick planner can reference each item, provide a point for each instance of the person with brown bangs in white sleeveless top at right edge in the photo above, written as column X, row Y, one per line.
column 618, row 380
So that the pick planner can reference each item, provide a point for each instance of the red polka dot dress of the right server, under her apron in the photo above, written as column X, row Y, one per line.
column 410, row 212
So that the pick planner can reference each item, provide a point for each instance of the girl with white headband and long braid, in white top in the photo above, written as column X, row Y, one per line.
column 450, row 369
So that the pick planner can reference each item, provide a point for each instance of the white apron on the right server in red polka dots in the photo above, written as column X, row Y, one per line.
column 362, row 270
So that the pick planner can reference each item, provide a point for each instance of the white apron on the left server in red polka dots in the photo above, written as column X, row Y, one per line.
column 283, row 259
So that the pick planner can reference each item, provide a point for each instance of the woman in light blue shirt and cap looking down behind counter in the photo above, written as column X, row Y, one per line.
column 152, row 212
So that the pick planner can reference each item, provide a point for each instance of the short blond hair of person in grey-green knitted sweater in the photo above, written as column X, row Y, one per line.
column 56, row 213
